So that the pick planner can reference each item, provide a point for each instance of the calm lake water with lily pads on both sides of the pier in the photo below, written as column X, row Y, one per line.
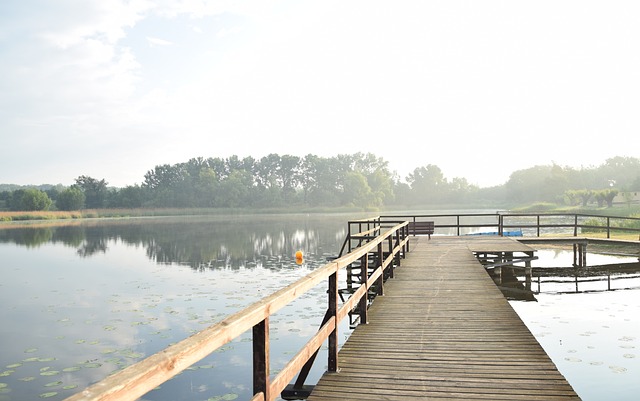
column 81, row 301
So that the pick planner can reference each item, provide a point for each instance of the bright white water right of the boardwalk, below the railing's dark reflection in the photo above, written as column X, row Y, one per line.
column 593, row 338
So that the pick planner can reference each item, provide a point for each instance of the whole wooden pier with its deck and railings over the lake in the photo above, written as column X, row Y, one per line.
column 439, row 329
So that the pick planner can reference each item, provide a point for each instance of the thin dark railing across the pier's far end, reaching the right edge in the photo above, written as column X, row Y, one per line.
column 532, row 224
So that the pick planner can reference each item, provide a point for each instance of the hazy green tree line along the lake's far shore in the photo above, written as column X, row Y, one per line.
column 361, row 180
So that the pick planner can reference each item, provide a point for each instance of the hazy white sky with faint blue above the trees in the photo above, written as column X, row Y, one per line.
column 111, row 89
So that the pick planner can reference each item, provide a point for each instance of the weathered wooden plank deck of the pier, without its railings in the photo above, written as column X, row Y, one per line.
column 444, row 331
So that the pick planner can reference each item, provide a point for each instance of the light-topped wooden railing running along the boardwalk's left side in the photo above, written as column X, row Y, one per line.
column 377, row 243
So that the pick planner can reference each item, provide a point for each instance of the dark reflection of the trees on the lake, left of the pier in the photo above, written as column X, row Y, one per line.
column 199, row 242
